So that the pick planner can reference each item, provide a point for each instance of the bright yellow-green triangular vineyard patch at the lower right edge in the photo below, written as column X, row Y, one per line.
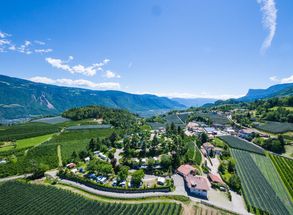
column 285, row 168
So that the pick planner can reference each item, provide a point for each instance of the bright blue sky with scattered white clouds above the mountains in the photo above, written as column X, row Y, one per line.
column 189, row 49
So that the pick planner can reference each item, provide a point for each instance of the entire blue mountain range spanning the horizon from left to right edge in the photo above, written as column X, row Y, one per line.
column 21, row 98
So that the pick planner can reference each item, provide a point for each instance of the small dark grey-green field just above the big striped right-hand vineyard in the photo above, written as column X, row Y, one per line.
column 237, row 143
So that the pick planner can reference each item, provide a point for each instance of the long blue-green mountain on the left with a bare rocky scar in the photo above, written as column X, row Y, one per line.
column 21, row 98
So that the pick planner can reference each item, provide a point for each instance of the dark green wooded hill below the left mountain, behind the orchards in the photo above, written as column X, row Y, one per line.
column 116, row 117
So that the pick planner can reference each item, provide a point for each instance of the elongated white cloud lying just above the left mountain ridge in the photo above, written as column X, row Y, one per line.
column 76, row 83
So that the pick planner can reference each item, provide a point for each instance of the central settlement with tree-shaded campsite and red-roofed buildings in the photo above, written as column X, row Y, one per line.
column 144, row 173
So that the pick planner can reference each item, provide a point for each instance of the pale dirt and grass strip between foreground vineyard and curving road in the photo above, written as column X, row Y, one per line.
column 187, row 208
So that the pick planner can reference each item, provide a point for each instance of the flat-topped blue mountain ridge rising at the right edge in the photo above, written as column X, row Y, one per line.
column 275, row 90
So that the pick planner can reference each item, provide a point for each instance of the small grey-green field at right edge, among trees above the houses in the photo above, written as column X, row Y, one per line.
column 275, row 127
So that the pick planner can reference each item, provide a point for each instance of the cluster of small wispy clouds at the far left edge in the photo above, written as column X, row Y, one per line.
column 27, row 47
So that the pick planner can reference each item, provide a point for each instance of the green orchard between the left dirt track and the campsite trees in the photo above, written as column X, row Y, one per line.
column 77, row 140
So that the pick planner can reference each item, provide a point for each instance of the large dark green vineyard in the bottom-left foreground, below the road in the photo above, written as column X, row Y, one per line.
column 39, row 199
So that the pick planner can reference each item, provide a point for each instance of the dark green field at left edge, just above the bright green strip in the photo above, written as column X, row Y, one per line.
column 26, row 130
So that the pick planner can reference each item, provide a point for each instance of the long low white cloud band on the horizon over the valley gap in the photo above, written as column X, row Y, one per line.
column 191, row 95
